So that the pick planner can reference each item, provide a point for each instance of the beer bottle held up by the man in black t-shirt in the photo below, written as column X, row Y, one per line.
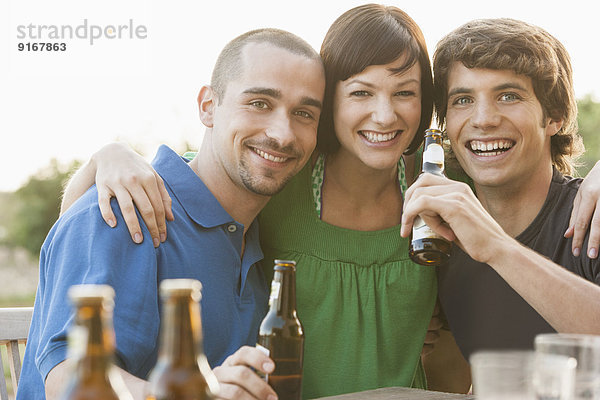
column 426, row 246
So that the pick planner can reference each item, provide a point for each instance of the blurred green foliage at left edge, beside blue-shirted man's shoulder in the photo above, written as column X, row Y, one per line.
column 35, row 207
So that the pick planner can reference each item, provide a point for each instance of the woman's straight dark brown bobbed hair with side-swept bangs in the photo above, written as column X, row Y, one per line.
column 372, row 34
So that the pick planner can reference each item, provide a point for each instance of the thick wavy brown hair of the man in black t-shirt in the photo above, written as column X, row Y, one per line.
column 508, row 44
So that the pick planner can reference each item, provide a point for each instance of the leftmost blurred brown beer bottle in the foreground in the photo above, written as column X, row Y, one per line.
column 91, row 344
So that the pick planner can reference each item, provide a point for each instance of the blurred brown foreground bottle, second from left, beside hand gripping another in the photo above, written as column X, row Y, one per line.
column 182, row 371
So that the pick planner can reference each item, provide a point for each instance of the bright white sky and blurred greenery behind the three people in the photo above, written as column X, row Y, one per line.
column 57, row 109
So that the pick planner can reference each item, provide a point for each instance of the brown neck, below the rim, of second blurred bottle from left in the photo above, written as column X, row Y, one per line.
column 181, row 331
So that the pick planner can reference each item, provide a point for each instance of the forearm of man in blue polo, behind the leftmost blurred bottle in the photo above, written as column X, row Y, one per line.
column 61, row 374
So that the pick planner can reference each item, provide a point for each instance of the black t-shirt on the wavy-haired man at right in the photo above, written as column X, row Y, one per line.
column 482, row 310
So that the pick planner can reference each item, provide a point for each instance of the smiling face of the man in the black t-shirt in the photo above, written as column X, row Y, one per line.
column 496, row 126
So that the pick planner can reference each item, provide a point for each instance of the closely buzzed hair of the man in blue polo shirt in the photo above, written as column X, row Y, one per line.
column 229, row 63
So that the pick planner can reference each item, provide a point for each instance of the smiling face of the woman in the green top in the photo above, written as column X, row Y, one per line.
column 376, row 113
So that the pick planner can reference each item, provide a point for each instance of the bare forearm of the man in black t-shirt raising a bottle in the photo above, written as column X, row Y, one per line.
column 565, row 300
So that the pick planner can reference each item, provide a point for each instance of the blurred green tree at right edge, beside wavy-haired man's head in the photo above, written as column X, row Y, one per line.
column 589, row 128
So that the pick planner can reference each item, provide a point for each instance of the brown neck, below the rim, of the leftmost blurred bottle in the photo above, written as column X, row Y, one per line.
column 93, row 340
